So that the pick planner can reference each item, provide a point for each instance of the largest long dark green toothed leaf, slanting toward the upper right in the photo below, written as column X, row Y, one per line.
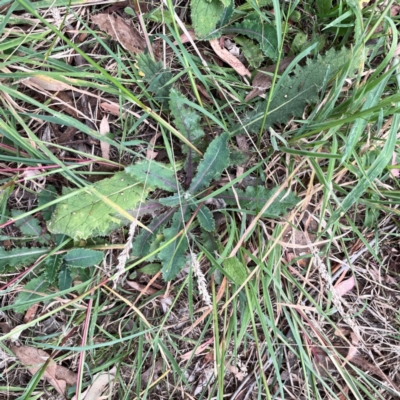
column 296, row 92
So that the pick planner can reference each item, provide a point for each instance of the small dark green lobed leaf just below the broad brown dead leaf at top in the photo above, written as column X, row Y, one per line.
column 155, row 75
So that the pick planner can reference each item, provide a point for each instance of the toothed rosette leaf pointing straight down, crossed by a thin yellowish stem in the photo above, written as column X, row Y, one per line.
column 173, row 257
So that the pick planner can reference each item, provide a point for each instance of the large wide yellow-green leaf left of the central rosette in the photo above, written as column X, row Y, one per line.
column 88, row 215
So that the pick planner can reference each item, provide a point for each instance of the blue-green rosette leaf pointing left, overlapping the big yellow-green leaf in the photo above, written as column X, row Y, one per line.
column 154, row 175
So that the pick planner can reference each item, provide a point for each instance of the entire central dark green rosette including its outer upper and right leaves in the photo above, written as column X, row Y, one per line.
column 168, row 228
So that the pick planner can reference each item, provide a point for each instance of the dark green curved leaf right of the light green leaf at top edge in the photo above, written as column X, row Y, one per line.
column 264, row 34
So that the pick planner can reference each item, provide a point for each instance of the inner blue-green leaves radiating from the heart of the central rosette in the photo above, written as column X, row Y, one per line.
column 180, row 205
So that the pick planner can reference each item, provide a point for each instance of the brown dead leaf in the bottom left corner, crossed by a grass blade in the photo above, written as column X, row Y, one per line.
column 33, row 359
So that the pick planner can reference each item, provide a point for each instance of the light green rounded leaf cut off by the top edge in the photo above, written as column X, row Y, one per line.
column 205, row 16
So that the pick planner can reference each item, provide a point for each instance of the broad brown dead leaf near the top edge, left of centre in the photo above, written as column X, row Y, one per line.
column 121, row 31
